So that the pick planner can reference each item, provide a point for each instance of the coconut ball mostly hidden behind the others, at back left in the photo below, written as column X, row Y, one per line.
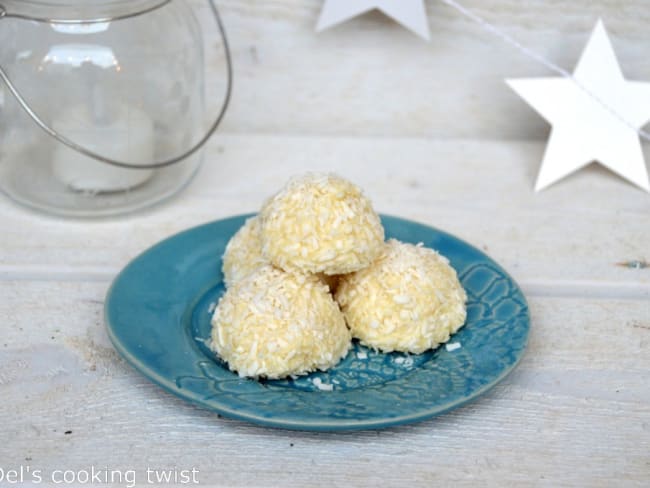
column 243, row 253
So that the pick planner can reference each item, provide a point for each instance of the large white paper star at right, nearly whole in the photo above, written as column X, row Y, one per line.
column 595, row 118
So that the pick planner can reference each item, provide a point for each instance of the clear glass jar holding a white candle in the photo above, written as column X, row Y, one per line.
column 102, row 109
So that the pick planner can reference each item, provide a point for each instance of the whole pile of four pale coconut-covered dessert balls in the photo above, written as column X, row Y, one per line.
column 312, row 271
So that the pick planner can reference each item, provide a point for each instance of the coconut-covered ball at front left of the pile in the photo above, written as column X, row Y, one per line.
column 275, row 324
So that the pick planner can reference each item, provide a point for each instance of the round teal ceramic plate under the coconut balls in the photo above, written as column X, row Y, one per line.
column 158, row 314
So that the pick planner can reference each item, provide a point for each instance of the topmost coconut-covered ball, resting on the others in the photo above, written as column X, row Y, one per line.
column 321, row 224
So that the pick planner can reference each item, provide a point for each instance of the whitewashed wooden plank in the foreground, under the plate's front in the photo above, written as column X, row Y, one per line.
column 575, row 413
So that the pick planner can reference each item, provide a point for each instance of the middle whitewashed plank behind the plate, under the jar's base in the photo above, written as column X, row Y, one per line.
column 571, row 236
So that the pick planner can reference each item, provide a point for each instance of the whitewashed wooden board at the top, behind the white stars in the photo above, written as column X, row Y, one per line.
column 369, row 76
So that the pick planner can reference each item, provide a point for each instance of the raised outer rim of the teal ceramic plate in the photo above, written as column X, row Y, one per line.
column 322, row 425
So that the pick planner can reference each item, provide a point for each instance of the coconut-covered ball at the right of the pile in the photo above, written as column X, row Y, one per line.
column 409, row 300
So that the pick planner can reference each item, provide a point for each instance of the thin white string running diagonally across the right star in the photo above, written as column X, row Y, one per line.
column 541, row 60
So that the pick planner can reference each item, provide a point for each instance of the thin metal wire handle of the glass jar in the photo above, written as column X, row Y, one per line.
column 91, row 154
